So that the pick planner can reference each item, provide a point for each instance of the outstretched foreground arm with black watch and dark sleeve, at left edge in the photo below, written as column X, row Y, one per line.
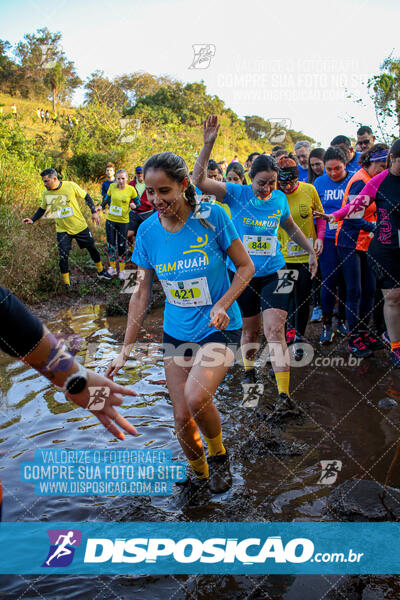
column 24, row 336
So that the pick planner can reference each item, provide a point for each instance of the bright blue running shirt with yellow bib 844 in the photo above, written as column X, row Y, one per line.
column 257, row 222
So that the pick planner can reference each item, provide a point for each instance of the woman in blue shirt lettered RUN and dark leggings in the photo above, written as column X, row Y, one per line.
column 331, row 187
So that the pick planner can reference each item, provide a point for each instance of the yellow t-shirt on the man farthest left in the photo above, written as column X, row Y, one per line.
column 62, row 205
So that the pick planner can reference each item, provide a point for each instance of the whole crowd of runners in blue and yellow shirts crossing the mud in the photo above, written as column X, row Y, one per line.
column 240, row 251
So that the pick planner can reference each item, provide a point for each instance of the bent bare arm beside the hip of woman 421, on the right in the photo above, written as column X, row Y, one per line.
column 244, row 272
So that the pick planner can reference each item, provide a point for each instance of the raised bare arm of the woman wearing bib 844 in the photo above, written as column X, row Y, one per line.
column 200, row 179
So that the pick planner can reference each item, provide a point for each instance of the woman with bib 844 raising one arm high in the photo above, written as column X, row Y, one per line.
column 257, row 212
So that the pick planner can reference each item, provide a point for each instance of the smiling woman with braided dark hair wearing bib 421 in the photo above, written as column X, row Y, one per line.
column 187, row 247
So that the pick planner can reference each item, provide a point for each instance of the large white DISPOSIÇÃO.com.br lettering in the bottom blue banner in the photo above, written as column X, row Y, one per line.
column 249, row 551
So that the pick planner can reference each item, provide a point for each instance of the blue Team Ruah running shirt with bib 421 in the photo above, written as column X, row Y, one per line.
column 191, row 266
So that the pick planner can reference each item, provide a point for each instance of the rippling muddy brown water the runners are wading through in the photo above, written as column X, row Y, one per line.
column 276, row 468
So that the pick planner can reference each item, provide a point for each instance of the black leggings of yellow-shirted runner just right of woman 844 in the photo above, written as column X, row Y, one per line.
column 299, row 301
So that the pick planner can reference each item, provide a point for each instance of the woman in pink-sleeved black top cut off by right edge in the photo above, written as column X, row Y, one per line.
column 384, row 251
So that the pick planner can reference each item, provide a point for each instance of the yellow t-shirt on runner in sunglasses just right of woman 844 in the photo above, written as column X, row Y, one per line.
column 302, row 203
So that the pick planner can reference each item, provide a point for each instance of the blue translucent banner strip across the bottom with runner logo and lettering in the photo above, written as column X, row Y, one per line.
column 210, row 548
